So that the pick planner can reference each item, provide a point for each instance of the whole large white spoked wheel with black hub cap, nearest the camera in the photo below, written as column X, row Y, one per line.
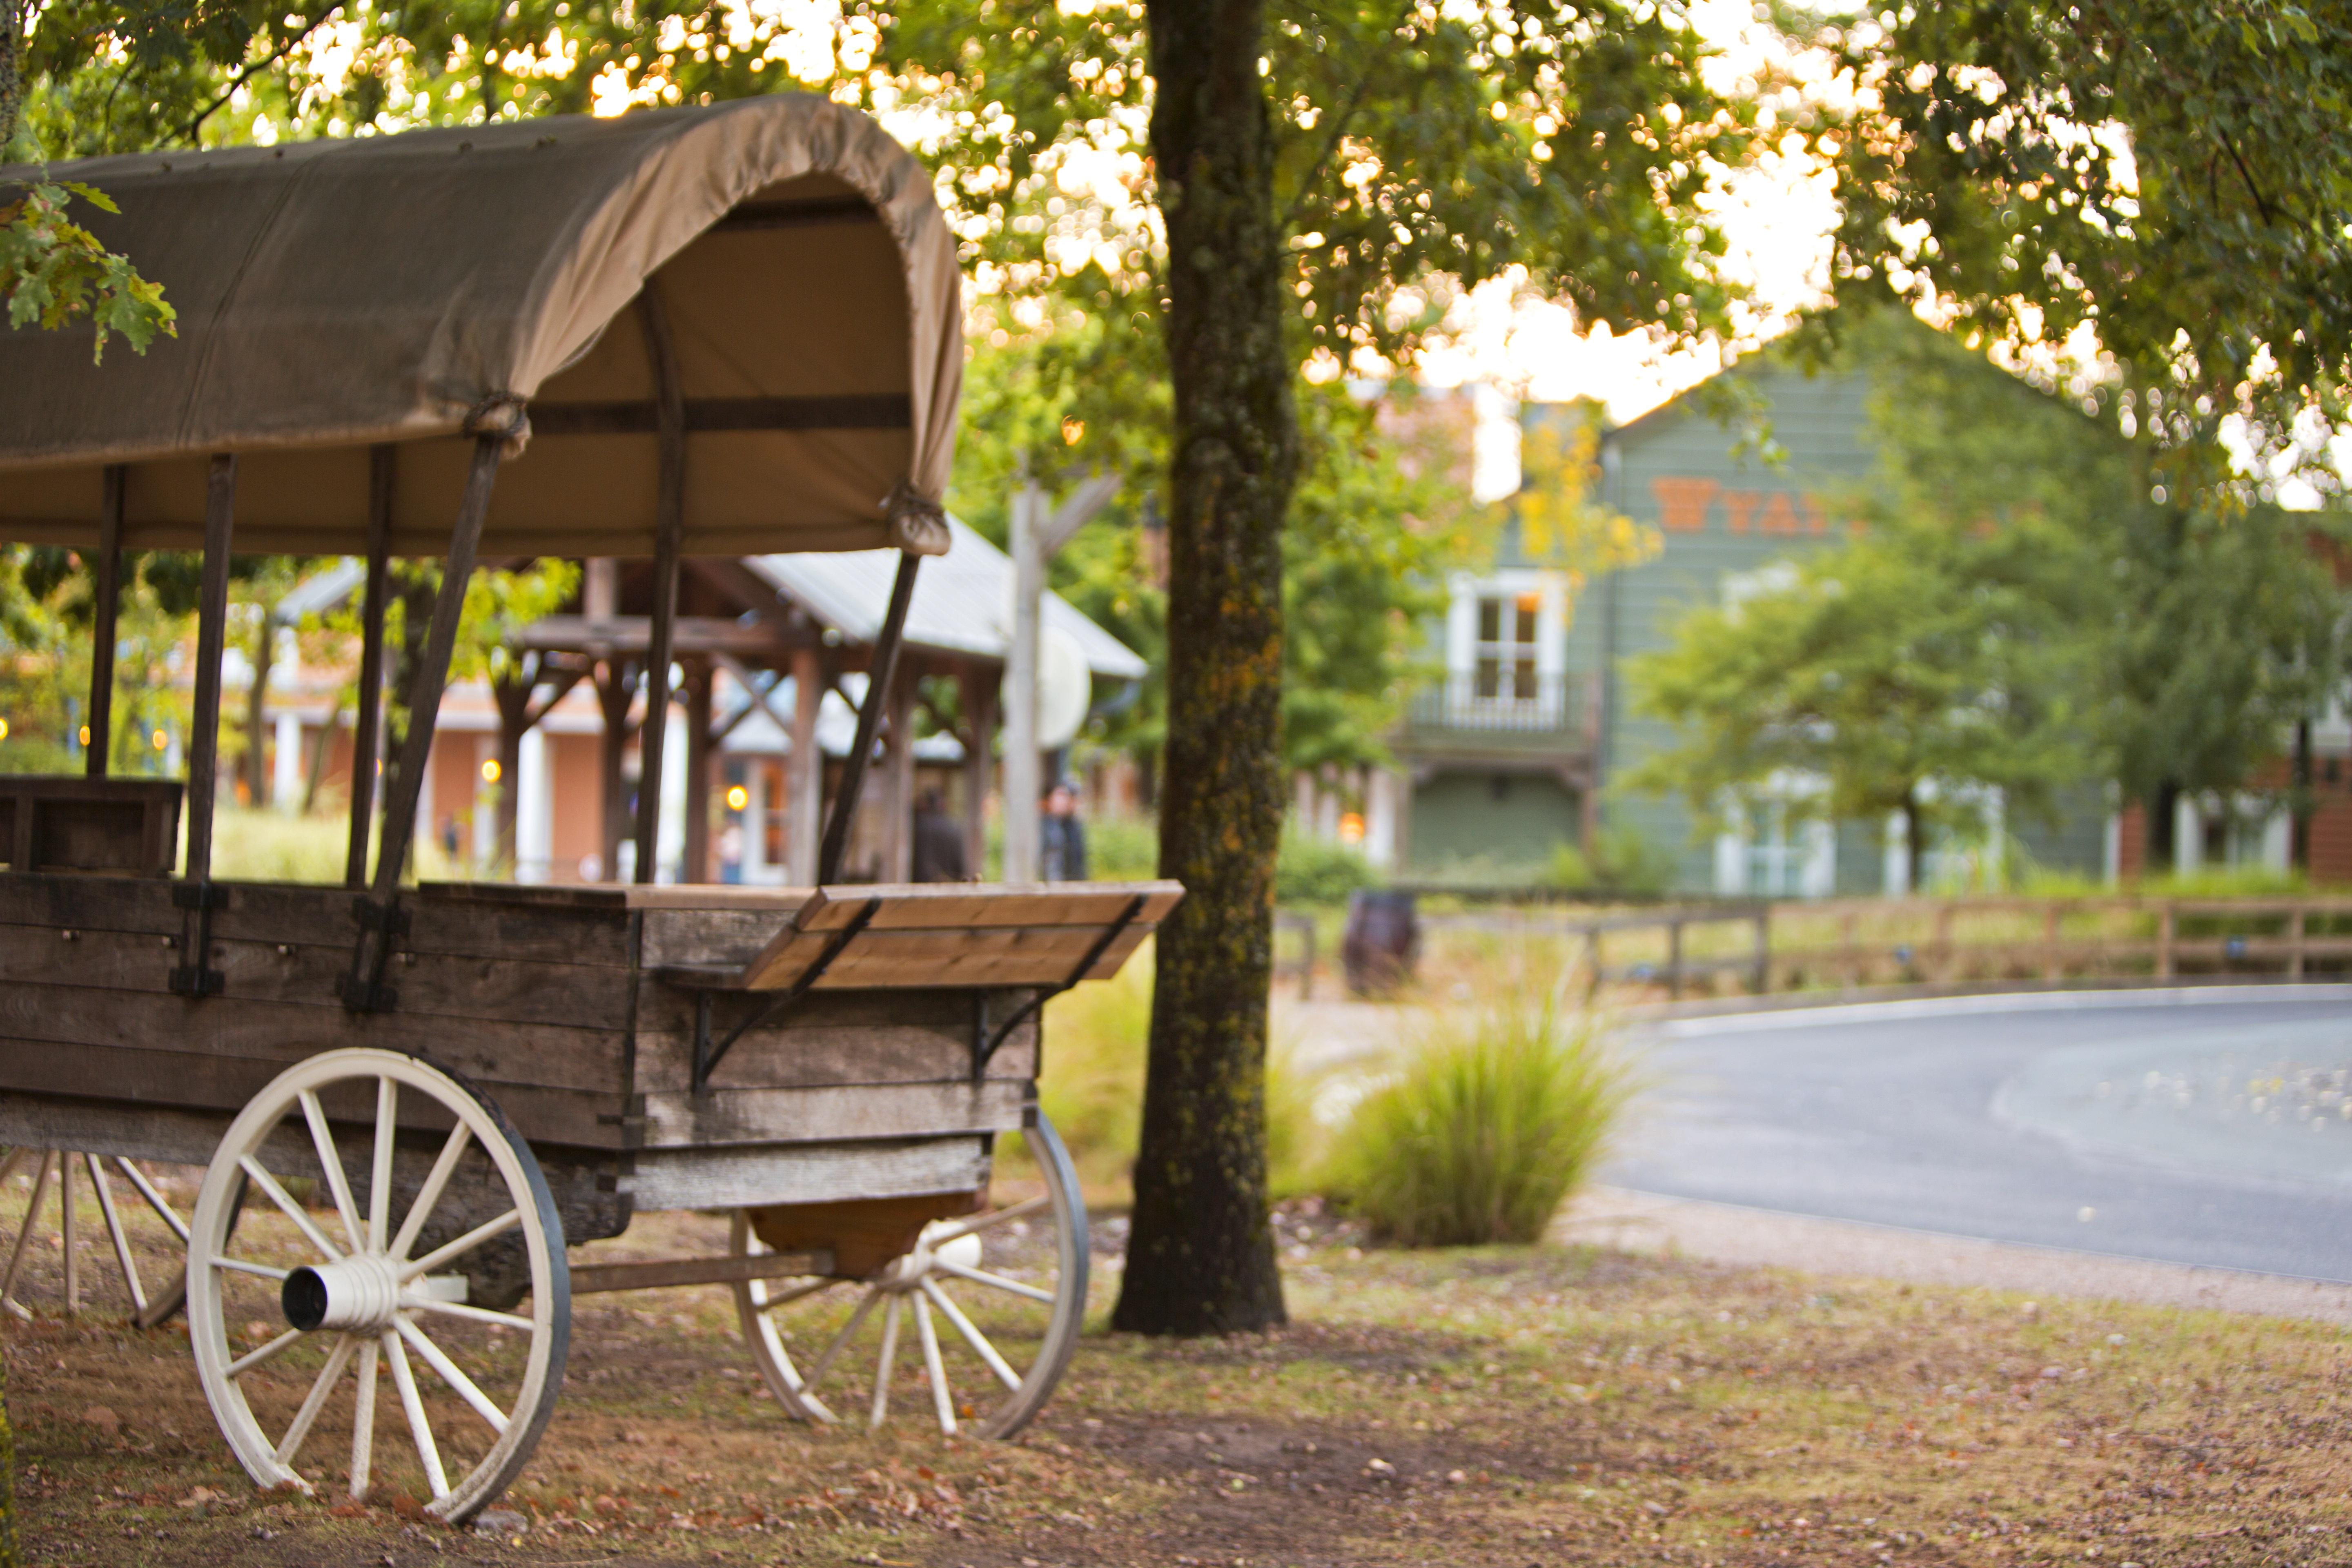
column 356, row 1287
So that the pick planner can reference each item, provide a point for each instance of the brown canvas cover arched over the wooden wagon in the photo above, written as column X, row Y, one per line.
column 338, row 295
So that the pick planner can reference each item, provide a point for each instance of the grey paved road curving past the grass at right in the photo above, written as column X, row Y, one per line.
column 2210, row 1127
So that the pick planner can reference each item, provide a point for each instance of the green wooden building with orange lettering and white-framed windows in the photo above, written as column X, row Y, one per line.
column 1514, row 749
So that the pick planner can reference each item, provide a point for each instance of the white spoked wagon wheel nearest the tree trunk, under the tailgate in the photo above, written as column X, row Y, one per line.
column 996, row 1304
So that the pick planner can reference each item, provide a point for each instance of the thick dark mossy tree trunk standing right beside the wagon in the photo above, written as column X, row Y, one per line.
column 1203, row 1254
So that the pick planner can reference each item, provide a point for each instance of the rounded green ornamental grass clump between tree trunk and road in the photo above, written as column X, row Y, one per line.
column 1490, row 1125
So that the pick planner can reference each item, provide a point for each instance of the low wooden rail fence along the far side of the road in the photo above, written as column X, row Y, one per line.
column 1878, row 942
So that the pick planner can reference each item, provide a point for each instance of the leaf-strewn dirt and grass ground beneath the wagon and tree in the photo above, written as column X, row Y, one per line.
column 1481, row 1409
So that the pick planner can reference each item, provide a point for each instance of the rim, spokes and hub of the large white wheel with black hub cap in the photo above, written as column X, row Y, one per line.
column 403, row 1346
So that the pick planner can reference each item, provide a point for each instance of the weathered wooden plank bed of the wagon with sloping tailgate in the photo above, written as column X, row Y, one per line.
column 577, row 1012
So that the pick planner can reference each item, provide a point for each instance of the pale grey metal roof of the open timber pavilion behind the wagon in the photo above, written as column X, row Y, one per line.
column 963, row 601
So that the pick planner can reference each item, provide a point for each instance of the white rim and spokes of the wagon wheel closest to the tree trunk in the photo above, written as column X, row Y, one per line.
column 916, row 1315
